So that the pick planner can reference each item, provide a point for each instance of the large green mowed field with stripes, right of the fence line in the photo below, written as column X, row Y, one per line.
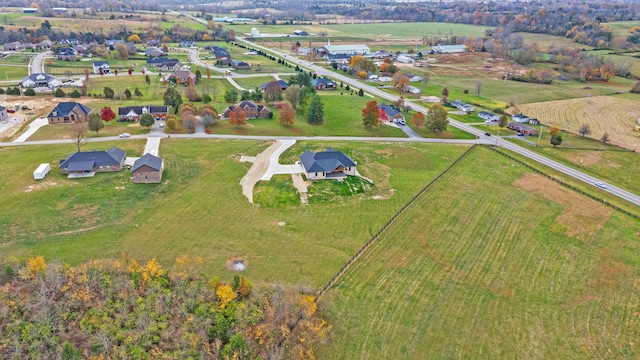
column 493, row 262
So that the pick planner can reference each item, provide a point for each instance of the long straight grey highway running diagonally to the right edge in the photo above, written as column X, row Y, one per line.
column 623, row 194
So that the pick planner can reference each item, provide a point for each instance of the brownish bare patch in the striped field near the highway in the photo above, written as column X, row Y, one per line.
column 582, row 217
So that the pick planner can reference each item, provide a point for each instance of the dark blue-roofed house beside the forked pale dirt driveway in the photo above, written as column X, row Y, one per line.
column 329, row 164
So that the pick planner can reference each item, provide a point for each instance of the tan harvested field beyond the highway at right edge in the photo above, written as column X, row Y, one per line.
column 610, row 114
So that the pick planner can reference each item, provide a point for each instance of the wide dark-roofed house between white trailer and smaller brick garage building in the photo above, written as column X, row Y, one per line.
column 88, row 163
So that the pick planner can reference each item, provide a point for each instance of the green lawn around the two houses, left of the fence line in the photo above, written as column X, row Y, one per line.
column 199, row 208
